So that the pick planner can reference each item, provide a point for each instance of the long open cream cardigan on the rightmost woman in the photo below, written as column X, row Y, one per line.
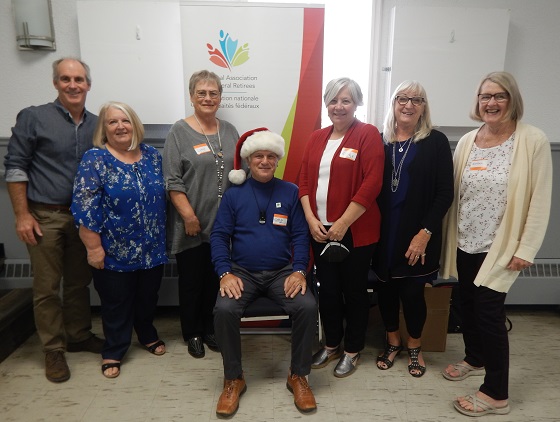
column 525, row 219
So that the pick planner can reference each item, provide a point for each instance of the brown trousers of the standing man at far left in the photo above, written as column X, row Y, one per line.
column 61, row 276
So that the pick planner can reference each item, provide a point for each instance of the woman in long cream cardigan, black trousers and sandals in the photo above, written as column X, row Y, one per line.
column 494, row 229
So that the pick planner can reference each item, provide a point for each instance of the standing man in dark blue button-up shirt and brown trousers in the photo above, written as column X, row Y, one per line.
column 44, row 151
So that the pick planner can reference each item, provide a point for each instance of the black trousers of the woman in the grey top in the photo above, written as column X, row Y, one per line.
column 198, row 286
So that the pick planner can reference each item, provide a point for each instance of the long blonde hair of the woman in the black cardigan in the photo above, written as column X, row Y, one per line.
column 423, row 127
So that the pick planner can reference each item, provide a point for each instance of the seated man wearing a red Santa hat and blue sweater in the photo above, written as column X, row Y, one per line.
column 260, row 247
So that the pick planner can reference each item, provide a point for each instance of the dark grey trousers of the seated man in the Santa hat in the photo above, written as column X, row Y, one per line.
column 228, row 312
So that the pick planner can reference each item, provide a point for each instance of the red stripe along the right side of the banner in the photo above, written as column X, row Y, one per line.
column 308, row 107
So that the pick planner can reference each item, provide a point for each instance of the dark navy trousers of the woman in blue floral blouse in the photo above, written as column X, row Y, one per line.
column 128, row 300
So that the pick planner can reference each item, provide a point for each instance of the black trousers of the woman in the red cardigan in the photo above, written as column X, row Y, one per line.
column 343, row 295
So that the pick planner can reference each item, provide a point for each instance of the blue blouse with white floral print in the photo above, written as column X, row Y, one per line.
column 125, row 204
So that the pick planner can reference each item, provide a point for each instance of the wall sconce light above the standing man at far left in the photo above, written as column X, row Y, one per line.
column 34, row 24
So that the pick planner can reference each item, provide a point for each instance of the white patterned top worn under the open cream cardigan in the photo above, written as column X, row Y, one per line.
column 483, row 196
